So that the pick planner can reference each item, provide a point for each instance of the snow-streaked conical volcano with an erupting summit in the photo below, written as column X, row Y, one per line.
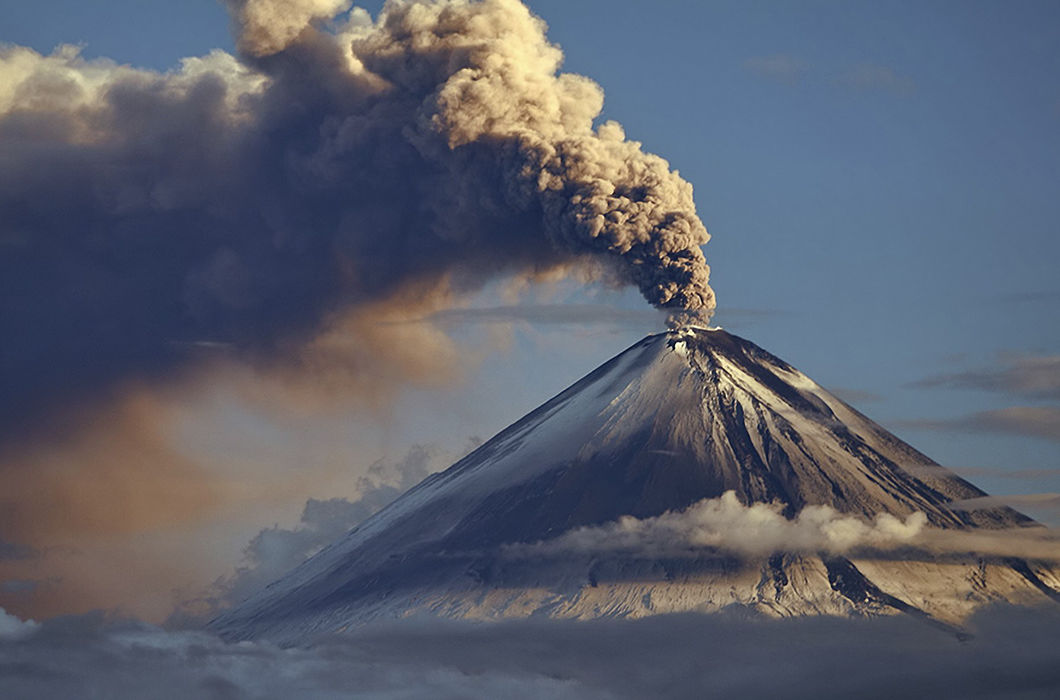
column 681, row 417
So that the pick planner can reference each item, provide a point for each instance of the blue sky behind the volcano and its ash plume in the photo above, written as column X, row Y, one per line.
column 880, row 181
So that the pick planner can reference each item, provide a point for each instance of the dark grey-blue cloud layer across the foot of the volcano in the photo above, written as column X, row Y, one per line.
column 1013, row 654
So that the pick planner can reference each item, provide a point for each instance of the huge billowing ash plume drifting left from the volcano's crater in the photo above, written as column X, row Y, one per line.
column 253, row 201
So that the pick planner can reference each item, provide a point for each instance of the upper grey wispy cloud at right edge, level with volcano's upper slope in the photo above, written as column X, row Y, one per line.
column 1035, row 377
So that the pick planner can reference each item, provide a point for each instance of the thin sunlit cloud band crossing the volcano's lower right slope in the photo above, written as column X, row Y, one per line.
column 759, row 530
